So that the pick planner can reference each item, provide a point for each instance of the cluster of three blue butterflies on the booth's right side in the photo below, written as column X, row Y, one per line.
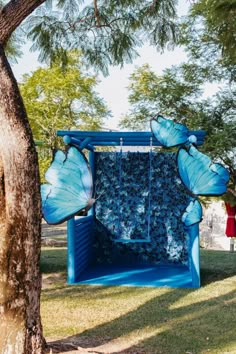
column 199, row 175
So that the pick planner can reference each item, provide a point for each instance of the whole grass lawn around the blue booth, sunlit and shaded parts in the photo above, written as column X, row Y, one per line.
column 118, row 319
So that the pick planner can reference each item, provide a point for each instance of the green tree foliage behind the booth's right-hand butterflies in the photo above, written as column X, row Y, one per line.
column 177, row 93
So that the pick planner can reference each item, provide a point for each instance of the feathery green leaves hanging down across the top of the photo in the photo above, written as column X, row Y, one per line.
column 107, row 33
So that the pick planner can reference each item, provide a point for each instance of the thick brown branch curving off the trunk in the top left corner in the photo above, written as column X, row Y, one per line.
column 12, row 14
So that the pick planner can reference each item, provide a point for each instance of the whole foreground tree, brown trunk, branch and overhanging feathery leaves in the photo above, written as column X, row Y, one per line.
column 106, row 33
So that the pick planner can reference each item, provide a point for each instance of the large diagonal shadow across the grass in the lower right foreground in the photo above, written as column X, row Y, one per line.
column 161, row 326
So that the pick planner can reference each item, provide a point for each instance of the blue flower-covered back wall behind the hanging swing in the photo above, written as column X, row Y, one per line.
column 142, row 203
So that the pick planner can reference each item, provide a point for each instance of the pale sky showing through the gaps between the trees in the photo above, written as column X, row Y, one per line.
column 113, row 89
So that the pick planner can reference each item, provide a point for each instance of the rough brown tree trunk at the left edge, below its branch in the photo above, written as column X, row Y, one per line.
column 20, row 224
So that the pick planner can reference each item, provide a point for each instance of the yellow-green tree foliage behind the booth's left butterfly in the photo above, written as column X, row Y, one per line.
column 57, row 100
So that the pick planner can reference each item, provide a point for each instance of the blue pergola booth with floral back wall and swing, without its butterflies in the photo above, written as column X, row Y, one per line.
column 133, row 235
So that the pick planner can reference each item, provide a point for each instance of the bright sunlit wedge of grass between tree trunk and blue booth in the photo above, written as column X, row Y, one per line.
column 85, row 307
